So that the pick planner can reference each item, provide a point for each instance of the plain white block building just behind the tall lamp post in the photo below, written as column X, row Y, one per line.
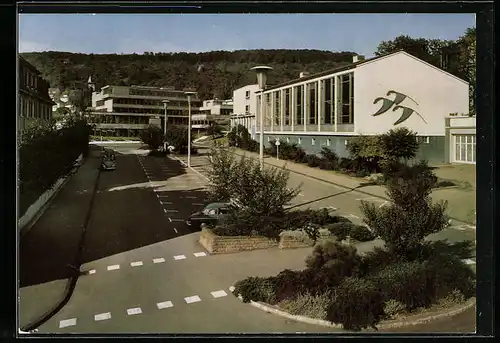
column 245, row 107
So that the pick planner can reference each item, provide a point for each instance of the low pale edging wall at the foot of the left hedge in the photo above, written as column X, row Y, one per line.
column 36, row 210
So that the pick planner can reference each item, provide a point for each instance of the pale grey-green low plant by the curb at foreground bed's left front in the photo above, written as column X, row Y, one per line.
column 309, row 305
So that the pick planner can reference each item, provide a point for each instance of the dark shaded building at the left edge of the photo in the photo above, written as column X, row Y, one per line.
column 34, row 100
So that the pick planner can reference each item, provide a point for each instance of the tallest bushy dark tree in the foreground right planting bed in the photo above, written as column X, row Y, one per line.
column 412, row 216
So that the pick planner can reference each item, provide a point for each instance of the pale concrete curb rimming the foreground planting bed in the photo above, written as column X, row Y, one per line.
column 383, row 325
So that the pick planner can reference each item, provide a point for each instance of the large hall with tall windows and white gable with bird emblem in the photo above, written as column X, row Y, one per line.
column 367, row 97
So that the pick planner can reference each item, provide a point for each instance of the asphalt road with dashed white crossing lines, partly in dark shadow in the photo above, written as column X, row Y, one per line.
column 146, row 271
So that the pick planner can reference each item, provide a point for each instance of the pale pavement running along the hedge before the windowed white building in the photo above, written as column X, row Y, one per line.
column 461, row 203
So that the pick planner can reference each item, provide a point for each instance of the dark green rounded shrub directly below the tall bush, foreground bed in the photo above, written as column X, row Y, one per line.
column 405, row 282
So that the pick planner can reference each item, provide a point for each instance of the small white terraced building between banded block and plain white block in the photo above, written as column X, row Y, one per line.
column 212, row 111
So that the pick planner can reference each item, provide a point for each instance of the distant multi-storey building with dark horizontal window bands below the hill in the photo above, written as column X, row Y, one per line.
column 126, row 110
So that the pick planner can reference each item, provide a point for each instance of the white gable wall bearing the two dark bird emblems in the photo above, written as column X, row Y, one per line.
column 436, row 93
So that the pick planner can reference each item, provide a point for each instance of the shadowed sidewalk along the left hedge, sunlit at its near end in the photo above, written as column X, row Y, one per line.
column 52, row 243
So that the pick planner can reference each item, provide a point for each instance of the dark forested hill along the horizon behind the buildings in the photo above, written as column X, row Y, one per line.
column 212, row 74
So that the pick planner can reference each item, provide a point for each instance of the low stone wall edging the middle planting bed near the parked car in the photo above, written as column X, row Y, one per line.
column 230, row 244
